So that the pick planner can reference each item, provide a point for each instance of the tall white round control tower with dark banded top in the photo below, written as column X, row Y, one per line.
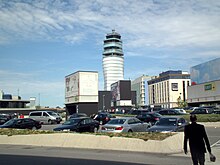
column 113, row 60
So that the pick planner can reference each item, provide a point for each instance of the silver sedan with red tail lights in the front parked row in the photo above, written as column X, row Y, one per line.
column 125, row 124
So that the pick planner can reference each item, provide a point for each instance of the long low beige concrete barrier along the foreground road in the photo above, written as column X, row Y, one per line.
column 172, row 144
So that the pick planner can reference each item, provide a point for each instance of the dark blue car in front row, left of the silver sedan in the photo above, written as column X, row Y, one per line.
column 79, row 124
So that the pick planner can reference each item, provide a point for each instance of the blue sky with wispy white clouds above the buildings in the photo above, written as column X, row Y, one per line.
column 42, row 41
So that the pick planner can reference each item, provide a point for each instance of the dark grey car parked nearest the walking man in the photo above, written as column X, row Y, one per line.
column 169, row 124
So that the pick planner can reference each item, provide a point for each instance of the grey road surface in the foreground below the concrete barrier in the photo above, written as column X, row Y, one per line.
column 34, row 155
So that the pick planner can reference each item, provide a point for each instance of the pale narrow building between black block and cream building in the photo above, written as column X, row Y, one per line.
column 141, row 87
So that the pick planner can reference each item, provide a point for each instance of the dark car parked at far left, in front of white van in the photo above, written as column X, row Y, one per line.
column 25, row 123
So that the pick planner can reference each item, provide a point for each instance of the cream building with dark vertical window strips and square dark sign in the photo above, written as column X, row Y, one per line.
column 167, row 88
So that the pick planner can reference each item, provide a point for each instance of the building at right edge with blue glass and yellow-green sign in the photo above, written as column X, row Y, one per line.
column 205, row 89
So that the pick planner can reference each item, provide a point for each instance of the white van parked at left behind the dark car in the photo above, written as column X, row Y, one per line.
column 45, row 117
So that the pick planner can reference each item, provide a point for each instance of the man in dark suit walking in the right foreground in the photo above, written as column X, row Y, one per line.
column 197, row 139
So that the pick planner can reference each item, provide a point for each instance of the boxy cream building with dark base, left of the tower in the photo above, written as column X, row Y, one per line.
column 81, row 92
